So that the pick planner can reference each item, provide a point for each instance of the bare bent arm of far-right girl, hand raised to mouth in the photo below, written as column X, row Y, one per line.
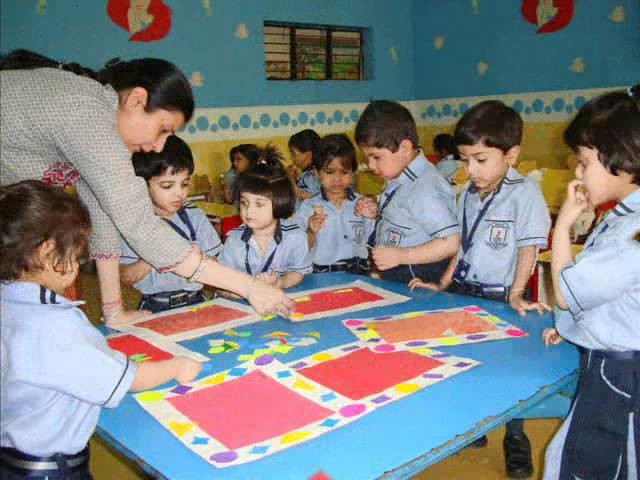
column 561, row 253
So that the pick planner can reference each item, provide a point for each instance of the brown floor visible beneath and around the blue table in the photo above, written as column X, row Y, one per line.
column 469, row 464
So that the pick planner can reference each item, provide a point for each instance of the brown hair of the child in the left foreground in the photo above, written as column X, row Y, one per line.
column 31, row 213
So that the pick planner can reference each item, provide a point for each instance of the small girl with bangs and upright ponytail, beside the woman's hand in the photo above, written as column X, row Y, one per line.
column 267, row 246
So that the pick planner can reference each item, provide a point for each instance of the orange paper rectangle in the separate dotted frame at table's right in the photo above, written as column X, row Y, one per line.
column 431, row 325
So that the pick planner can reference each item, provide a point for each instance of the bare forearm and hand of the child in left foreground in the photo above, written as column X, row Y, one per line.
column 152, row 374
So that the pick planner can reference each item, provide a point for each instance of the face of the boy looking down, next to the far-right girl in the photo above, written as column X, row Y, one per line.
column 487, row 166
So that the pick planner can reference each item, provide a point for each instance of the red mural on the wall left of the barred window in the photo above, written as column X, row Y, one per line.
column 146, row 20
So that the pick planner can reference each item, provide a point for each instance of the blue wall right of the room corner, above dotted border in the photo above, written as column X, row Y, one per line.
column 518, row 59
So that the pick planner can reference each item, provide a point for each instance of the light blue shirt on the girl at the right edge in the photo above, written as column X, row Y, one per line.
column 602, row 287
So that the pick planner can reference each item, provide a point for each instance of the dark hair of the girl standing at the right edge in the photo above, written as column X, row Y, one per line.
column 610, row 123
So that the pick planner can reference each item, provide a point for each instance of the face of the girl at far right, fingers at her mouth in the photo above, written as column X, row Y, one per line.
column 601, row 185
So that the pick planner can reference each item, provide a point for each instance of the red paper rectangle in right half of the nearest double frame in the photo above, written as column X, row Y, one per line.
column 363, row 372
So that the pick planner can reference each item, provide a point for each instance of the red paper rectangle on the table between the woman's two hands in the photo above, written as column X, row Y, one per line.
column 187, row 321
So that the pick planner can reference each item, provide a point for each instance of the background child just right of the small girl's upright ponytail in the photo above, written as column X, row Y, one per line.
column 301, row 147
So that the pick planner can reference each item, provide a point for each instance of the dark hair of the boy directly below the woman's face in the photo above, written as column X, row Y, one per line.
column 175, row 157
